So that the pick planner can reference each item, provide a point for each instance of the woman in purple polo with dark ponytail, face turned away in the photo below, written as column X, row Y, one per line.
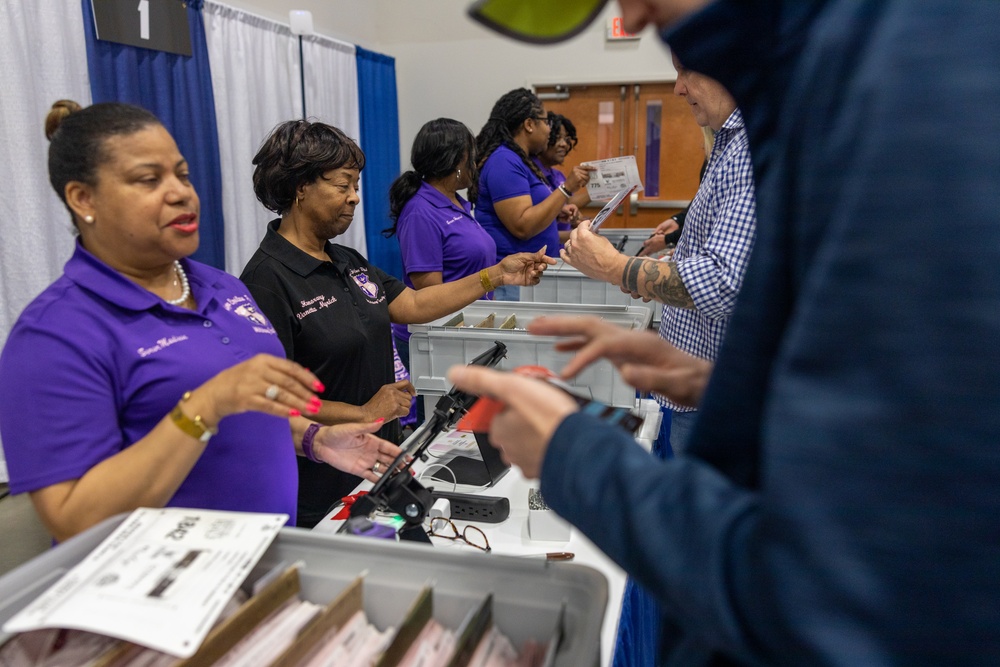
column 439, row 239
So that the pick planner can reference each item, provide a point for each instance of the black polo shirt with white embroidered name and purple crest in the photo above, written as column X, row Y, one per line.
column 333, row 318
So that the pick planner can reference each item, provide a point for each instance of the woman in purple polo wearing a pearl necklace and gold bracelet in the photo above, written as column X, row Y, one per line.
column 116, row 377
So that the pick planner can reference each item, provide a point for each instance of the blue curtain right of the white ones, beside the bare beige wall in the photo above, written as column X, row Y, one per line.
column 380, row 142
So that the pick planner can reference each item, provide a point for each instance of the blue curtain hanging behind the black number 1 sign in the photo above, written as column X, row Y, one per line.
column 178, row 89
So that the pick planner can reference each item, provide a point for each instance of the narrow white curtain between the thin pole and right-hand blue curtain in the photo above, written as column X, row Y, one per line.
column 332, row 97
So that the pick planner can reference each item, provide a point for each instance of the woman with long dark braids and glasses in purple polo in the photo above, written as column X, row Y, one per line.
column 514, row 204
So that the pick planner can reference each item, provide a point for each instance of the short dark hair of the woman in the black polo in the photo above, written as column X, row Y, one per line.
column 298, row 152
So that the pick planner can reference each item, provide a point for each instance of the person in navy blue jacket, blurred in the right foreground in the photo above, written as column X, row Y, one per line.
column 839, row 503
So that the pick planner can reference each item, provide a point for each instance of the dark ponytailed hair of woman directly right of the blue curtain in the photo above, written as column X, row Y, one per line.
column 440, row 147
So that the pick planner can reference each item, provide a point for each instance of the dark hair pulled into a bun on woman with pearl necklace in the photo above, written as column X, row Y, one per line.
column 78, row 137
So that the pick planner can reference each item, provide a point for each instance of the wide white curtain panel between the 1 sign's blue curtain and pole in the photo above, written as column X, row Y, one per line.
column 255, row 80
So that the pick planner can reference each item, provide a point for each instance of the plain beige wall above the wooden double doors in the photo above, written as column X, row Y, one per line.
column 446, row 65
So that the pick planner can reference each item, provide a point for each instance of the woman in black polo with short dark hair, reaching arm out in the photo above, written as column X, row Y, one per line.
column 330, row 307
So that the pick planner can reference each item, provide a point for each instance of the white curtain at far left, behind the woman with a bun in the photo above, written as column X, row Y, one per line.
column 42, row 59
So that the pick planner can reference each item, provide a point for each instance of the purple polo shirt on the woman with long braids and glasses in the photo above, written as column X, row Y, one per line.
column 505, row 176
